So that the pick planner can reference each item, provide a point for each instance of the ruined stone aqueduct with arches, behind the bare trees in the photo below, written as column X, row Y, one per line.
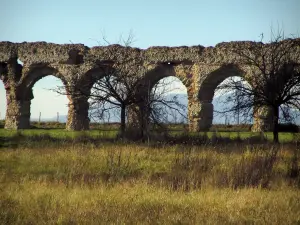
column 201, row 70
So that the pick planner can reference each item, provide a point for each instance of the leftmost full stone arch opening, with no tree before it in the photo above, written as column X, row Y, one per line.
column 42, row 102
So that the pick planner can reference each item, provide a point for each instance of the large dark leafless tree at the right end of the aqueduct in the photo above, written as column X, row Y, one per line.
column 274, row 79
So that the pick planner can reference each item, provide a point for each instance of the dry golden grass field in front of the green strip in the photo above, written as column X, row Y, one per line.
column 132, row 184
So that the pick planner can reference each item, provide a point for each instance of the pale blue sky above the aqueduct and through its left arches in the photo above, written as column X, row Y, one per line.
column 154, row 23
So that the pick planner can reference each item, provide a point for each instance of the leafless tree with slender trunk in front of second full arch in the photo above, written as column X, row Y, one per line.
column 117, row 87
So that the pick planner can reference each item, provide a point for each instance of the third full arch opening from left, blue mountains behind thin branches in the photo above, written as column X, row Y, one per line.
column 168, row 95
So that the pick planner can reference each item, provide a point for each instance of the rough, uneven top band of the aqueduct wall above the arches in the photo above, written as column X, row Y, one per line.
column 43, row 52
